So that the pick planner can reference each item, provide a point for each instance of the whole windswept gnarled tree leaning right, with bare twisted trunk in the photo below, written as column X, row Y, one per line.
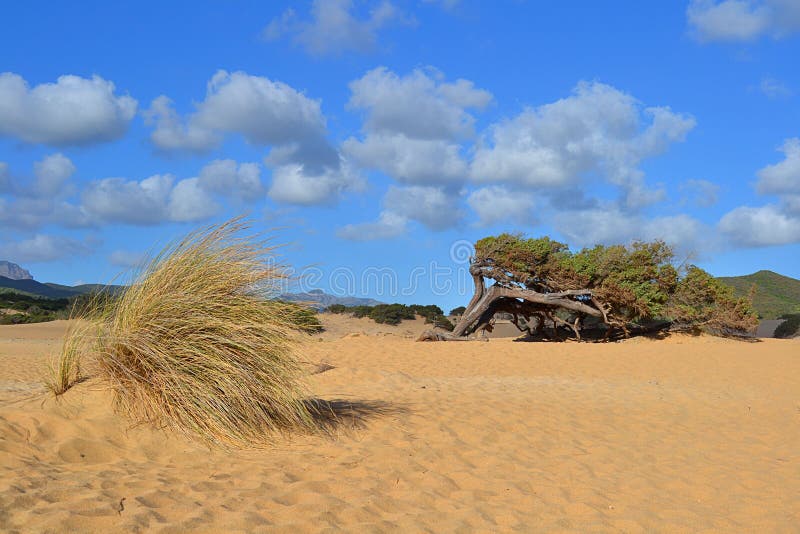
column 542, row 286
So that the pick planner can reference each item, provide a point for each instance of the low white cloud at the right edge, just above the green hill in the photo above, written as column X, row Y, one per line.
column 762, row 226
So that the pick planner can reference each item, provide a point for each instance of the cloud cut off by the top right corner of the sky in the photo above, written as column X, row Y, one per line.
column 742, row 20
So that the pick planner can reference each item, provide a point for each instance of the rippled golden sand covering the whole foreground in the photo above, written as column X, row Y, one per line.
column 683, row 434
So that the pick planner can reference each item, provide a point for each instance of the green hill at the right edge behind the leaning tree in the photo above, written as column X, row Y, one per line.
column 775, row 295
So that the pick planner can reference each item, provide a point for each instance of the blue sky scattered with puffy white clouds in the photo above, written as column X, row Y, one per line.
column 382, row 136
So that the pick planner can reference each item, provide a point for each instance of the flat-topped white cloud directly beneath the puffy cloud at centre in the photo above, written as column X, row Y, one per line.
column 413, row 161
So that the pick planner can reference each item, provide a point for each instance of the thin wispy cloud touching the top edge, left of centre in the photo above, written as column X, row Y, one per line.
column 334, row 27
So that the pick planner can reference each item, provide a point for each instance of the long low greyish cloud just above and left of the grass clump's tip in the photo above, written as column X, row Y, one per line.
column 149, row 201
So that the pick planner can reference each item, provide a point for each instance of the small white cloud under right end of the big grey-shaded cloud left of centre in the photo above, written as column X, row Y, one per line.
column 295, row 183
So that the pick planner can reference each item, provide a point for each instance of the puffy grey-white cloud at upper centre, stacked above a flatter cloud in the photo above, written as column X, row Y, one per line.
column 419, row 105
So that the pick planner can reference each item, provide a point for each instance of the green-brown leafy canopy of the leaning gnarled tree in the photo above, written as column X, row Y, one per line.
column 633, row 283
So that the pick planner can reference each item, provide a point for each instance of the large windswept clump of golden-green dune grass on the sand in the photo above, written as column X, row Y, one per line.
column 193, row 345
